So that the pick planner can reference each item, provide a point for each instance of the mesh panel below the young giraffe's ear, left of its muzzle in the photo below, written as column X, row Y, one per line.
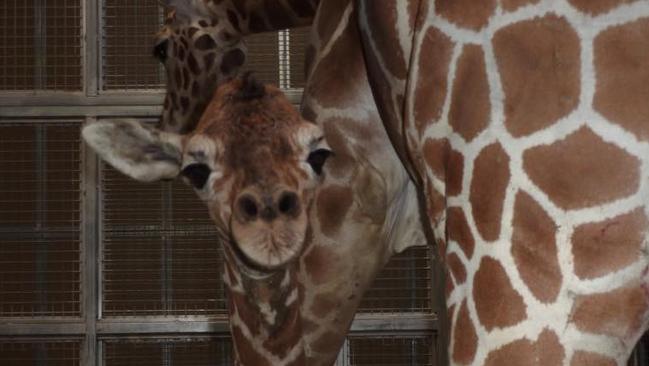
column 160, row 252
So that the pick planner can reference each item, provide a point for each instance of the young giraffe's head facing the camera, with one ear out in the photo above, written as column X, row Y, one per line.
column 252, row 159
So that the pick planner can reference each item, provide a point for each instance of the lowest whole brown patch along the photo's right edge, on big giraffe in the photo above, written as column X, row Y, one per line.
column 617, row 313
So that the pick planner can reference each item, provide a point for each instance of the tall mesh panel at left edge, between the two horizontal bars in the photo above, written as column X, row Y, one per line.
column 39, row 219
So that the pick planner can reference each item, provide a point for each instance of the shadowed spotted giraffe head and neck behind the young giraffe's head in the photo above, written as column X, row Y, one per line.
column 207, row 48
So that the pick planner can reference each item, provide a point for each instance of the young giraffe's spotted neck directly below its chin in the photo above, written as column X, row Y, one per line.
column 265, row 318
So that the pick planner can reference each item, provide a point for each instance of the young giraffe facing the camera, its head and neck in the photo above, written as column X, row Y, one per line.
column 256, row 164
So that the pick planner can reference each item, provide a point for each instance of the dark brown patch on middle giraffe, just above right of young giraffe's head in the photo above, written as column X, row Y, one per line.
column 345, row 60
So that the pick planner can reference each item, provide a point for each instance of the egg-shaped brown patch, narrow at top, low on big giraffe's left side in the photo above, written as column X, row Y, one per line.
column 496, row 301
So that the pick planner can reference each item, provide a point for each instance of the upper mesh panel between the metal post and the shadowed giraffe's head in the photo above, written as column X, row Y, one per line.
column 128, row 33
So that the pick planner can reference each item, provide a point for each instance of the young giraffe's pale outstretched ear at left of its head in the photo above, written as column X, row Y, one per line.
column 135, row 149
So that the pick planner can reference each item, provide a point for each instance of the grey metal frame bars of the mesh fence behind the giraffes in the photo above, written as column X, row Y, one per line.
column 89, row 105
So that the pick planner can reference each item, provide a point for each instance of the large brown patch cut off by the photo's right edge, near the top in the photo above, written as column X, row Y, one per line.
column 622, row 73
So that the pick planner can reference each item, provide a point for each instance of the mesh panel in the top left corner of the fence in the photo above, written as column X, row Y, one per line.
column 40, row 45
